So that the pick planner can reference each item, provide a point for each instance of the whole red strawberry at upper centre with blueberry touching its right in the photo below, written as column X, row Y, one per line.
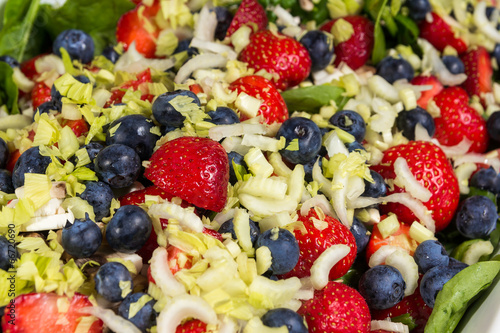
column 278, row 54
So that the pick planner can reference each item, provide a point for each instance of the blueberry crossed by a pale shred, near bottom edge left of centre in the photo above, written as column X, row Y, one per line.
column 145, row 318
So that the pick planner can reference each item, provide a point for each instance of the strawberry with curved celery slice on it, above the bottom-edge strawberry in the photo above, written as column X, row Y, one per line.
column 316, row 240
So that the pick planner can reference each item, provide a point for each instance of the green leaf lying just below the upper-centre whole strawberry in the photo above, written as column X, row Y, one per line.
column 312, row 98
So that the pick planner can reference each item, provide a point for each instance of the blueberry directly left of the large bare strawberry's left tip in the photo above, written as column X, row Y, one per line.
column 118, row 165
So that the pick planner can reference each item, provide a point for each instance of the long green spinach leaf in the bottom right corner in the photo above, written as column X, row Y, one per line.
column 458, row 294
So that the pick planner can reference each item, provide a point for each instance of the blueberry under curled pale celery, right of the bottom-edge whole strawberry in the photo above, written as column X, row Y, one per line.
column 382, row 287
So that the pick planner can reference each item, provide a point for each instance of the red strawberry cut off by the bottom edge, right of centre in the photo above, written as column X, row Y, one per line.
column 337, row 308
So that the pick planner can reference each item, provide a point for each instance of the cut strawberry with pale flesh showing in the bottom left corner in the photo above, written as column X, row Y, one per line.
column 39, row 313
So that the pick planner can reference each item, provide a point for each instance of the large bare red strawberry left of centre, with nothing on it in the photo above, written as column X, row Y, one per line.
column 193, row 169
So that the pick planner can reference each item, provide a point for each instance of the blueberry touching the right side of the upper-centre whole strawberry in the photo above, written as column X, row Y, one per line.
column 319, row 45
